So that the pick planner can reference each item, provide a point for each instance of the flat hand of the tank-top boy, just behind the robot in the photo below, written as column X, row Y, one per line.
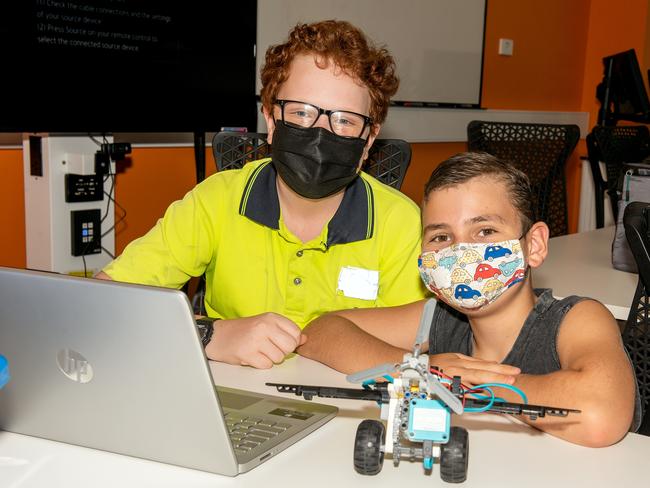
column 473, row 371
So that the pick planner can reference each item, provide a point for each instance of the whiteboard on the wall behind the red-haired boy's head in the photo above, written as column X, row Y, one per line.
column 437, row 44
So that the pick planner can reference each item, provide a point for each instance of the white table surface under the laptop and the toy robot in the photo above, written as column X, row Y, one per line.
column 503, row 453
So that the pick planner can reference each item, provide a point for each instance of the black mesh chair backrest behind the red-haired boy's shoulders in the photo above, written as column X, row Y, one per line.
column 388, row 159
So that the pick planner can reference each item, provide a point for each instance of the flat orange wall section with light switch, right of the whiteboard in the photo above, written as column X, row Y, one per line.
column 545, row 72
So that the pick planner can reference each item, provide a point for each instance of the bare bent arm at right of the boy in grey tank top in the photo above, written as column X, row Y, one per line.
column 596, row 378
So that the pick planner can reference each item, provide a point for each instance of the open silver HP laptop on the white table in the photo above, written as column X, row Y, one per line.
column 120, row 368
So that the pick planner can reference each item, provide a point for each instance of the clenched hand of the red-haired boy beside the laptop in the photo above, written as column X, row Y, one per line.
column 259, row 341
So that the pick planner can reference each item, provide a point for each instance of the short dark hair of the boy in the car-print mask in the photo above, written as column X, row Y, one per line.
column 463, row 167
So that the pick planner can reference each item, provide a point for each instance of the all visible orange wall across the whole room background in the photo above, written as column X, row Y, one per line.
column 558, row 47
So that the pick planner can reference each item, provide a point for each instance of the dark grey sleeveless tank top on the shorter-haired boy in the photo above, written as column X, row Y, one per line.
column 534, row 350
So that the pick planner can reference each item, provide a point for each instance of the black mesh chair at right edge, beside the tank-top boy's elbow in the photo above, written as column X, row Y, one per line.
column 636, row 335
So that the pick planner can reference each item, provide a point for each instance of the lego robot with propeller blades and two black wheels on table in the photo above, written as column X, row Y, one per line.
column 416, row 407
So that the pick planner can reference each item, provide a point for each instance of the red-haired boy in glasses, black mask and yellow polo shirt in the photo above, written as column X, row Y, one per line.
column 305, row 232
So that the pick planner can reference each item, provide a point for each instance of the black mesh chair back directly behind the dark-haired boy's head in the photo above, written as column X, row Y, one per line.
column 541, row 151
